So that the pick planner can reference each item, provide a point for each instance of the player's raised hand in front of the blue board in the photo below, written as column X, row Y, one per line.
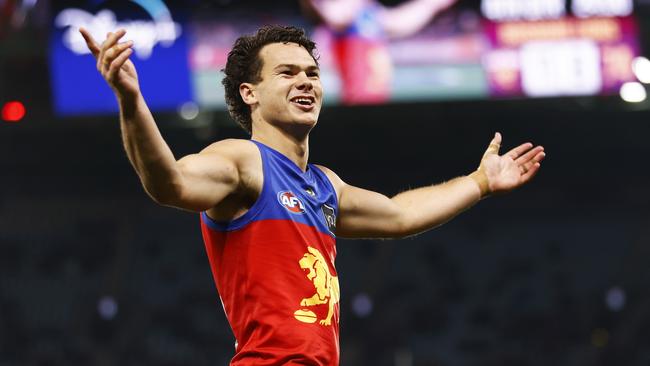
column 114, row 64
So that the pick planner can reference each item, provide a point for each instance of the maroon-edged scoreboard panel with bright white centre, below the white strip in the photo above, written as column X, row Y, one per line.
column 568, row 56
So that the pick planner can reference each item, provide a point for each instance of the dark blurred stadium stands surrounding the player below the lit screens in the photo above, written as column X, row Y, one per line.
column 94, row 273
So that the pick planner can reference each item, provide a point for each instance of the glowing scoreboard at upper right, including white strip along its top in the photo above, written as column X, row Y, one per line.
column 537, row 50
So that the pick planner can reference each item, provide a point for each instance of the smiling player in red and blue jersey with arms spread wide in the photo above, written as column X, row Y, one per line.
column 269, row 218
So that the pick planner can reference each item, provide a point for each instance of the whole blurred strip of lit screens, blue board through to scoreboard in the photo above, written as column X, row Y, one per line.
column 413, row 51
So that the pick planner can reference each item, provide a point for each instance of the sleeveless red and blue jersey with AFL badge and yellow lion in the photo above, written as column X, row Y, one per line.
column 274, row 268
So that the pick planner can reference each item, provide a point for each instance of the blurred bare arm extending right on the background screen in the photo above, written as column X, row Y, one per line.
column 410, row 17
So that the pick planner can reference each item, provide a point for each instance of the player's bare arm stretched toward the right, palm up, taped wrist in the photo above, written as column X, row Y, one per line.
column 367, row 214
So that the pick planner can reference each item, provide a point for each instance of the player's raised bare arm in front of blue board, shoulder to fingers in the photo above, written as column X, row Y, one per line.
column 197, row 182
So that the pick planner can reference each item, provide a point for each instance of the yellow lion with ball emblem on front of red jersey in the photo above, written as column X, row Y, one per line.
column 327, row 287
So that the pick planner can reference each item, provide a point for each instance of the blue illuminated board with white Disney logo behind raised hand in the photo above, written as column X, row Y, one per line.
column 160, row 57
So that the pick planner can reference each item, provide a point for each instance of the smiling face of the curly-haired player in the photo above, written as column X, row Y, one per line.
column 290, row 91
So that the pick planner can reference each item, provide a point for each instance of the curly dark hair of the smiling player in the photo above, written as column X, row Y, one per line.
column 244, row 65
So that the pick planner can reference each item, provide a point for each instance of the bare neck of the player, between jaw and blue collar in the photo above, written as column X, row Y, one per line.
column 293, row 146
